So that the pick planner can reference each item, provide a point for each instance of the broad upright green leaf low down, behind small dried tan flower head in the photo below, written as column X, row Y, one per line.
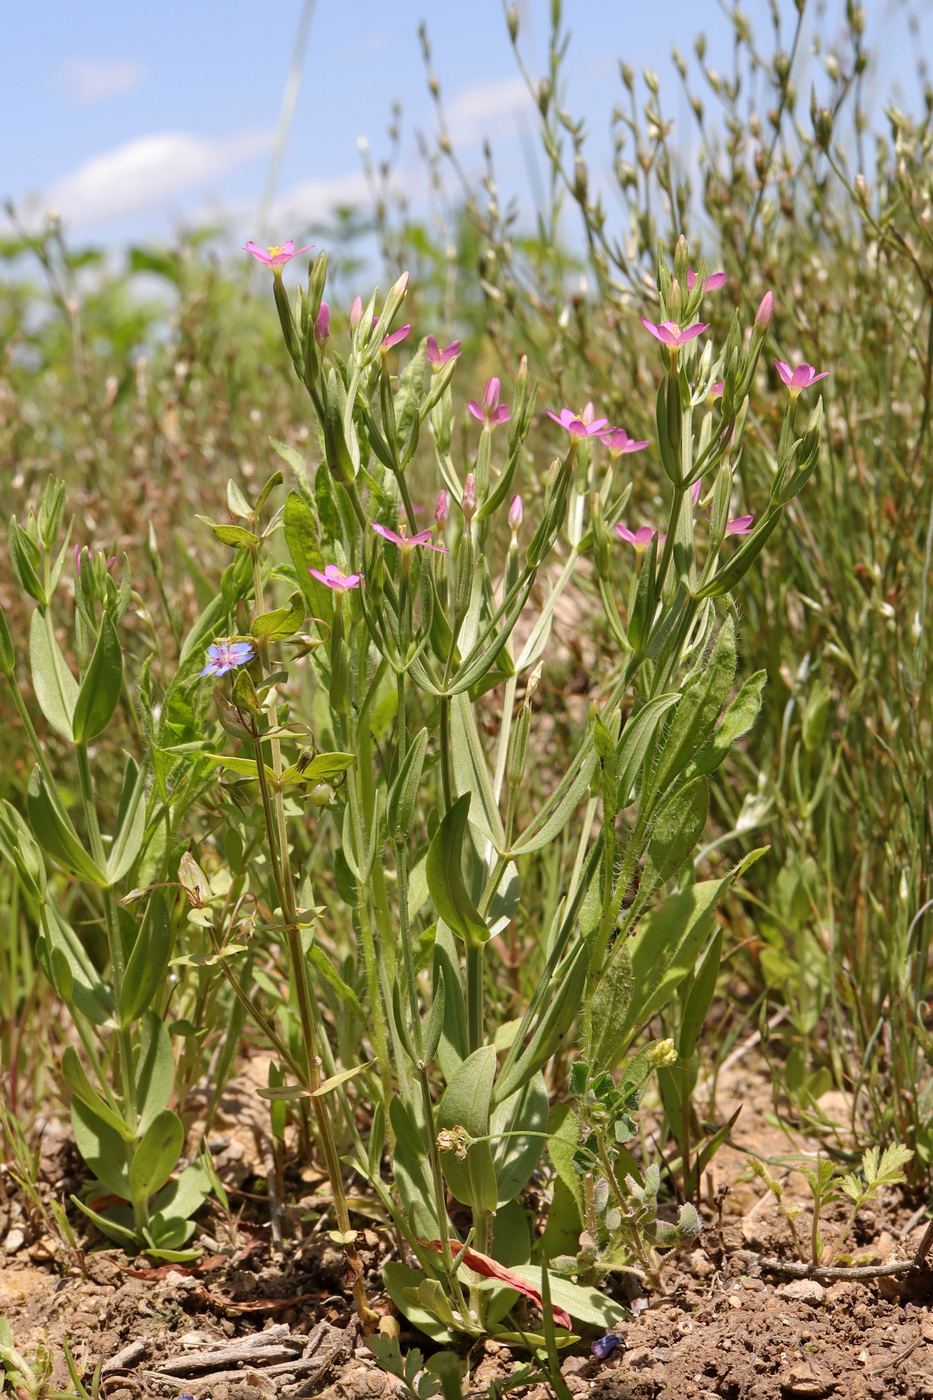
column 467, row 1104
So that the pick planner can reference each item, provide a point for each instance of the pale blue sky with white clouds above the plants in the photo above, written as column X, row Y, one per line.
column 130, row 118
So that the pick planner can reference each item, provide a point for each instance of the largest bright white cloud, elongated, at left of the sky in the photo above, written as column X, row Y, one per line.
column 149, row 174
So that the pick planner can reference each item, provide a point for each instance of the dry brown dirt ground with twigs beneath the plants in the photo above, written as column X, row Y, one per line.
column 258, row 1321
